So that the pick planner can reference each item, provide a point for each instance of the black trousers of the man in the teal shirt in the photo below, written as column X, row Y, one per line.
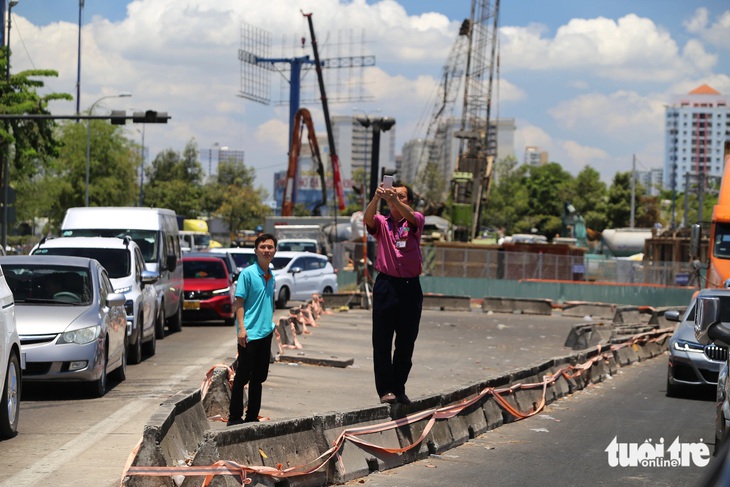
column 252, row 369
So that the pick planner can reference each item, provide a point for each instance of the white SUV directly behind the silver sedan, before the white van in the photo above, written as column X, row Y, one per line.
column 124, row 263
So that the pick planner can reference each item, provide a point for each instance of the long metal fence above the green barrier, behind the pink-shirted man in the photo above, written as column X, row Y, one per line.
column 469, row 262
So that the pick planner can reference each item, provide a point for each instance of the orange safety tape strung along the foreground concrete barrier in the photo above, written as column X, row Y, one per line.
column 226, row 467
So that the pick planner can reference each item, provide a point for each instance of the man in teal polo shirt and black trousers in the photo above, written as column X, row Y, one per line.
column 254, row 308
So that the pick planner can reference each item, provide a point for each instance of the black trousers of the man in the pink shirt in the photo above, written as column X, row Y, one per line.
column 397, row 305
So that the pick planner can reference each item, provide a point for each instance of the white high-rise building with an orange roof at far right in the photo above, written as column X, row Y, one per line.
column 697, row 126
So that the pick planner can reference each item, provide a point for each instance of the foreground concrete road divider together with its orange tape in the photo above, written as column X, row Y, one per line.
column 336, row 447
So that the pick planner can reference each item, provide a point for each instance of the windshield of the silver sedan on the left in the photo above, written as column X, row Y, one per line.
column 48, row 284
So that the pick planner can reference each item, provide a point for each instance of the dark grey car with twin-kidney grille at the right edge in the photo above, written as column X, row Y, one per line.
column 691, row 364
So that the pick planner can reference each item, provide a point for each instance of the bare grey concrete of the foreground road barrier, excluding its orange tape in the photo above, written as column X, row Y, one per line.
column 180, row 426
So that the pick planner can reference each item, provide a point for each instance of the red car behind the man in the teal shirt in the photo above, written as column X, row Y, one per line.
column 208, row 289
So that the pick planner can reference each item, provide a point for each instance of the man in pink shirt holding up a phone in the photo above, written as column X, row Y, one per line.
column 397, row 294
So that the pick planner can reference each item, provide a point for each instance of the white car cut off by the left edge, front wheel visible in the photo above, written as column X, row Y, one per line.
column 11, row 364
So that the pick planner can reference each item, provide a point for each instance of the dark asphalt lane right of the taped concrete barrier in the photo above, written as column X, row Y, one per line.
column 566, row 444
